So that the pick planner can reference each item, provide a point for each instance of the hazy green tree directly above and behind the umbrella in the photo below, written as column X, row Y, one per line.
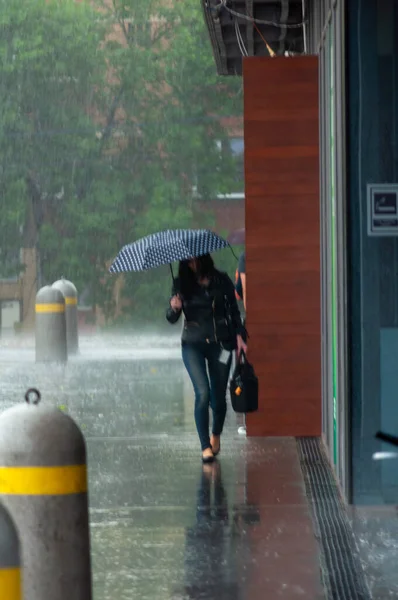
column 181, row 117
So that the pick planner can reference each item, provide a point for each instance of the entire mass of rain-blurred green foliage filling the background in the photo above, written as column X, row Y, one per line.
column 109, row 118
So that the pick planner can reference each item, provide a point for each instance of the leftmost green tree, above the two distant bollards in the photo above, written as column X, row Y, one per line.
column 49, row 70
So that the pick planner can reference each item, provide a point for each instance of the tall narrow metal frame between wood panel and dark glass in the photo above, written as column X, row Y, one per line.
column 325, row 17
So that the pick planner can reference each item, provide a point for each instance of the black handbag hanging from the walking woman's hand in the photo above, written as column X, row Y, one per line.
column 243, row 386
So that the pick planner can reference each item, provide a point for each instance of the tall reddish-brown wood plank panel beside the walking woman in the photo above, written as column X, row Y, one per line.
column 282, row 243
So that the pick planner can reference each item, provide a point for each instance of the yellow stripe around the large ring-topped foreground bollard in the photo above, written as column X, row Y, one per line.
column 43, row 481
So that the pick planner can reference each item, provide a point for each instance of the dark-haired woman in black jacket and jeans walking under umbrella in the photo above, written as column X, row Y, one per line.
column 212, row 330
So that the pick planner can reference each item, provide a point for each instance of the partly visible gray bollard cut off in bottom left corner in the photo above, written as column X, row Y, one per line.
column 10, row 565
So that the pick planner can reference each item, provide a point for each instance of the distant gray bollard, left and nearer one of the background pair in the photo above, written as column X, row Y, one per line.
column 51, row 344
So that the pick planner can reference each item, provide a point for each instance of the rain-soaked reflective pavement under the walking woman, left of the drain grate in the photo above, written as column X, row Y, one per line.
column 163, row 526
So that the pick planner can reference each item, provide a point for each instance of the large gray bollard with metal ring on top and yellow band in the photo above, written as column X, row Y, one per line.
column 43, row 484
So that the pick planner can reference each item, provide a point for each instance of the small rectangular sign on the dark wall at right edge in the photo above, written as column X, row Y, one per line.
column 382, row 209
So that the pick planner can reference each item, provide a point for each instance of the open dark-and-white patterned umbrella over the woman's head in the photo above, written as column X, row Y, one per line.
column 166, row 247
